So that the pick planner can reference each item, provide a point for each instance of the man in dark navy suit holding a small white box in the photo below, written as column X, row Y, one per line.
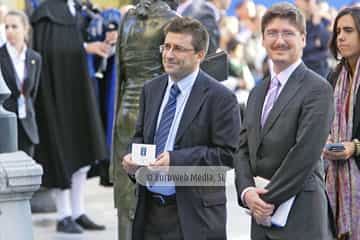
column 194, row 121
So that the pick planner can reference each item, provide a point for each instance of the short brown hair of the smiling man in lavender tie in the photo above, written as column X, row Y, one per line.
column 286, row 11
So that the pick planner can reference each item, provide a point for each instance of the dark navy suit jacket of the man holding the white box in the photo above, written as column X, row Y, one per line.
column 207, row 136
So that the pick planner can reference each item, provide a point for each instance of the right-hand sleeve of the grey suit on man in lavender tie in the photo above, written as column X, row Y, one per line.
column 313, row 129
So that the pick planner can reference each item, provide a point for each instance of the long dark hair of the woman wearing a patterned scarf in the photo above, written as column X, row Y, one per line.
column 354, row 12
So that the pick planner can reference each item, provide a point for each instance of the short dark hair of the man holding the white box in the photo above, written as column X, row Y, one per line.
column 190, row 26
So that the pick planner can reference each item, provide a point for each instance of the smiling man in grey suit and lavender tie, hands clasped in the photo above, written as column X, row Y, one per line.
column 286, row 124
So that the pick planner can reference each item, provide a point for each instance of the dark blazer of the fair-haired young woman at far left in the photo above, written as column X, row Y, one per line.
column 33, row 68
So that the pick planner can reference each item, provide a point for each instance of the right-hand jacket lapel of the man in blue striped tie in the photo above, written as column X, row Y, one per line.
column 193, row 104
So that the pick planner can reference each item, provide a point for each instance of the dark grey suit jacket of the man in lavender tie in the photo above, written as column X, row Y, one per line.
column 287, row 152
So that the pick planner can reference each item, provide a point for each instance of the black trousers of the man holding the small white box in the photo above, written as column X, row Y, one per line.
column 162, row 221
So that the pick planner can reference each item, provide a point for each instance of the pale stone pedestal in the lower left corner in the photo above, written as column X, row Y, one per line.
column 20, row 177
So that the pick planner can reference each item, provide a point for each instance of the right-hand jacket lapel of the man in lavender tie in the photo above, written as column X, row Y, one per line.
column 290, row 89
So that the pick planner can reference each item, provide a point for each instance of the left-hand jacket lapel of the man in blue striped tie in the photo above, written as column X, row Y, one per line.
column 157, row 94
